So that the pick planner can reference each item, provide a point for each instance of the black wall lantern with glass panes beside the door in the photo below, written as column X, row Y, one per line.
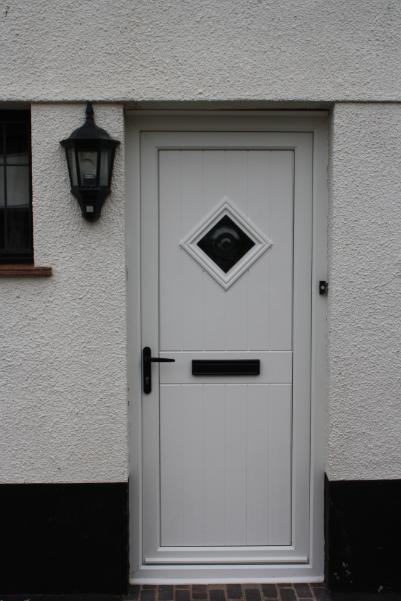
column 90, row 156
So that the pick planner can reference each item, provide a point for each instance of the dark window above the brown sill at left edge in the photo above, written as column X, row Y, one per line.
column 15, row 188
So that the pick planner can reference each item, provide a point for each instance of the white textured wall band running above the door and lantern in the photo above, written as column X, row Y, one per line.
column 140, row 50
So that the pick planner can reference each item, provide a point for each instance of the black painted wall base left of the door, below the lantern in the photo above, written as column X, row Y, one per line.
column 64, row 538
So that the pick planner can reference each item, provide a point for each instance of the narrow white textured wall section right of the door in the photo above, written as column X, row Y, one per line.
column 365, row 293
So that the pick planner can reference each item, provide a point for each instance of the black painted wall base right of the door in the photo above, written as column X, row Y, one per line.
column 362, row 533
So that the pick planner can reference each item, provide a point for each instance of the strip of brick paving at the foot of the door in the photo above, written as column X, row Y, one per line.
column 229, row 592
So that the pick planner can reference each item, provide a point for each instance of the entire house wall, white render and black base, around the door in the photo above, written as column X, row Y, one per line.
column 63, row 373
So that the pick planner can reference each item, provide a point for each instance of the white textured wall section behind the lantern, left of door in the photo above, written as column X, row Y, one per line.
column 63, row 358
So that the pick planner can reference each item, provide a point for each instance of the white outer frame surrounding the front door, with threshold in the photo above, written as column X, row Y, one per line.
column 279, row 121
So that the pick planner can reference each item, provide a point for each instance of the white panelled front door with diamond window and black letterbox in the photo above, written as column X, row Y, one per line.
column 226, row 247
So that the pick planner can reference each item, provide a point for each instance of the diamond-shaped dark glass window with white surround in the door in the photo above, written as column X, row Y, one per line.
column 229, row 236
